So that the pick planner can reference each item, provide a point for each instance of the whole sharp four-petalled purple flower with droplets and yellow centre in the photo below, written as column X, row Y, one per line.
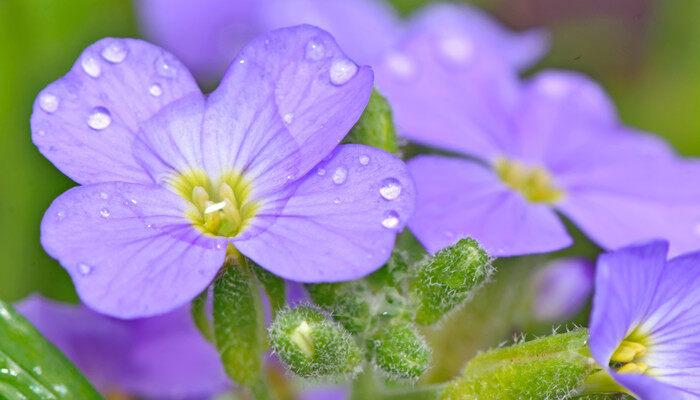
column 171, row 177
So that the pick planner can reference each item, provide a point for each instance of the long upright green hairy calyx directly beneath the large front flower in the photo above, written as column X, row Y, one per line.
column 239, row 325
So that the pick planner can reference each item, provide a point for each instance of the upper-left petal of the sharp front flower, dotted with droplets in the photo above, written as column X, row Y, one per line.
column 86, row 121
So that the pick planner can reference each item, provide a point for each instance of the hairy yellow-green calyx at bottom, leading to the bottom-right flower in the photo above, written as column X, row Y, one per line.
column 552, row 367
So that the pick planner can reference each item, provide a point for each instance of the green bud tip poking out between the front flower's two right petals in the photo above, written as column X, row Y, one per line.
column 376, row 125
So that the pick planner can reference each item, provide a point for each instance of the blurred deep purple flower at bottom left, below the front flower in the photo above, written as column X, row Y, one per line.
column 163, row 357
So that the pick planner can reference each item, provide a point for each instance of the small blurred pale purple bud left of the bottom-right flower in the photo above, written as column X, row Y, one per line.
column 561, row 288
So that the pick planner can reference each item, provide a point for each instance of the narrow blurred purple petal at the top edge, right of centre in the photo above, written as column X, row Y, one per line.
column 519, row 49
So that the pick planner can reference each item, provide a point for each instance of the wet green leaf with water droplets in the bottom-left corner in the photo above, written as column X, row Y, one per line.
column 32, row 368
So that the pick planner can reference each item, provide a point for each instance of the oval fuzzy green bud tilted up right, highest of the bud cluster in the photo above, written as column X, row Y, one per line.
column 447, row 279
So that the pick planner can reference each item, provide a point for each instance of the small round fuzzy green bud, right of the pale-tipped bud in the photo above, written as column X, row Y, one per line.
column 400, row 351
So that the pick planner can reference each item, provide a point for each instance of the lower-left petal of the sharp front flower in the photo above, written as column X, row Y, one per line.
column 129, row 248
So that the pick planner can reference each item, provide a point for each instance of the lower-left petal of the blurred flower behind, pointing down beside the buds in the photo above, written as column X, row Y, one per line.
column 458, row 198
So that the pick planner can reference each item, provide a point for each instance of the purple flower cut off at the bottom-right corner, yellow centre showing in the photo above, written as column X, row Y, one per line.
column 645, row 323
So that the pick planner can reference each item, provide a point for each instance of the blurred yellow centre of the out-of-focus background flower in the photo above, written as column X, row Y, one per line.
column 533, row 183
